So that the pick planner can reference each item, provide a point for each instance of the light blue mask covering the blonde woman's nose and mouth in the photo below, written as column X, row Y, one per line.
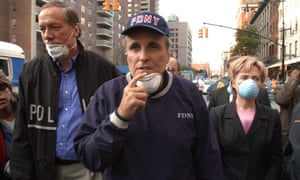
column 248, row 89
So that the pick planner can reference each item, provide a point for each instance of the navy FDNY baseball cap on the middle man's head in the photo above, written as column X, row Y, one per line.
column 149, row 20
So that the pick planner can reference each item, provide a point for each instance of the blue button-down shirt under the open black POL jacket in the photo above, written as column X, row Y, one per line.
column 70, row 113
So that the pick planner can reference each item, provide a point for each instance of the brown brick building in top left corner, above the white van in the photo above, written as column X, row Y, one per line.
column 17, row 23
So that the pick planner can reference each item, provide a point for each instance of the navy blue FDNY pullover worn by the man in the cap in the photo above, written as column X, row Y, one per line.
column 171, row 138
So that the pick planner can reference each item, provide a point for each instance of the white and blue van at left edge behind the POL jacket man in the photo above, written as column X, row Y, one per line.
column 12, row 59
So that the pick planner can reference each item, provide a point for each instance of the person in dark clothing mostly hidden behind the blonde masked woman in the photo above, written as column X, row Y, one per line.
column 225, row 94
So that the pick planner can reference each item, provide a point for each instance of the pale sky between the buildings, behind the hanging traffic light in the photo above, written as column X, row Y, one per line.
column 196, row 12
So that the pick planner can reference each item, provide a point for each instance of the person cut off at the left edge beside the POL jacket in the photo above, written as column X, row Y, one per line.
column 8, row 100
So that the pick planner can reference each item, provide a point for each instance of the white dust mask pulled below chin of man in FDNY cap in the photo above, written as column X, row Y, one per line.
column 150, row 82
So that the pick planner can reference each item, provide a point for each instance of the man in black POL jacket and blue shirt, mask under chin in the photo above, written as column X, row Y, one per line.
column 54, row 91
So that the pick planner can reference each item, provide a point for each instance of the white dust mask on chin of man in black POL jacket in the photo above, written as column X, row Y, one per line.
column 58, row 51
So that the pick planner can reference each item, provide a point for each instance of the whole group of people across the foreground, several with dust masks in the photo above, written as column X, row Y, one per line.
column 75, row 115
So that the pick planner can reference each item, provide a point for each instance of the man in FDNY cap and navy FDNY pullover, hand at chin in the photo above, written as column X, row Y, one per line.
column 148, row 124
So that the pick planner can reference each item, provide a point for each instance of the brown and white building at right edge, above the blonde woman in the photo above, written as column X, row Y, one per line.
column 279, row 22
